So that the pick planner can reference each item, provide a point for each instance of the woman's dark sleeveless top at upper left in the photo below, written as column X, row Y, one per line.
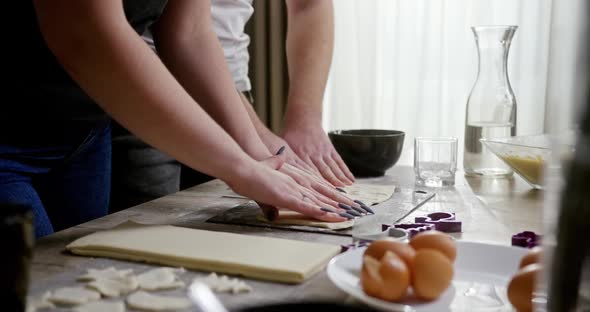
column 39, row 90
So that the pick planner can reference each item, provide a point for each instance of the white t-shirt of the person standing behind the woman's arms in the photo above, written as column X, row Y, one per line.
column 229, row 20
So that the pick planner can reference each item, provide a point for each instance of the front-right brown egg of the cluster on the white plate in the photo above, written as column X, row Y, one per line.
column 432, row 273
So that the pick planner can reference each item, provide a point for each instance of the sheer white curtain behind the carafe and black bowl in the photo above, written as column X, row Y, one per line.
column 410, row 64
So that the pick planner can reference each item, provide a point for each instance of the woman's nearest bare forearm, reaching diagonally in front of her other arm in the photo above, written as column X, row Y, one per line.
column 115, row 67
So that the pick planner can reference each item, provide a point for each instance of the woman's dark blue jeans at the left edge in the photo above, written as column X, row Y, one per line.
column 62, row 173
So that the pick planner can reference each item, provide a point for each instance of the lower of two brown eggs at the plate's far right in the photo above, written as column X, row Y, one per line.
column 520, row 288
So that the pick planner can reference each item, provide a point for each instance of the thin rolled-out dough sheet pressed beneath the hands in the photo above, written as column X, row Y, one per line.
column 369, row 194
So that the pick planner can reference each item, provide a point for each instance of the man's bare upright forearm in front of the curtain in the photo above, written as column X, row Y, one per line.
column 309, row 54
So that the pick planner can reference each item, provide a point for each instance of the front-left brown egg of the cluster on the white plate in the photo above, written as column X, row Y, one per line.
column 387, row 279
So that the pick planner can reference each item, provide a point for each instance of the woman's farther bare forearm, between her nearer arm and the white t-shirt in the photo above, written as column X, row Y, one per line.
column 193, row 54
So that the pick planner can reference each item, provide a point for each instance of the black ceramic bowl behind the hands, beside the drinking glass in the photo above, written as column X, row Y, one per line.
column 368, row 152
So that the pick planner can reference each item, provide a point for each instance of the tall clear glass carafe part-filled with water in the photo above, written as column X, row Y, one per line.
column 491, row 106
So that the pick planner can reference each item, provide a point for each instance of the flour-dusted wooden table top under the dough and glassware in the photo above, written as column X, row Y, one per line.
column 491, row 210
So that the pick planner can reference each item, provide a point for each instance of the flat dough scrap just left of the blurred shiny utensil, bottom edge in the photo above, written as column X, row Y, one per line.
column 144, row 301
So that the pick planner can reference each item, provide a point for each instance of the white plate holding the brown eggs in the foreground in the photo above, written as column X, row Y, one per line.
column 482, row 273
